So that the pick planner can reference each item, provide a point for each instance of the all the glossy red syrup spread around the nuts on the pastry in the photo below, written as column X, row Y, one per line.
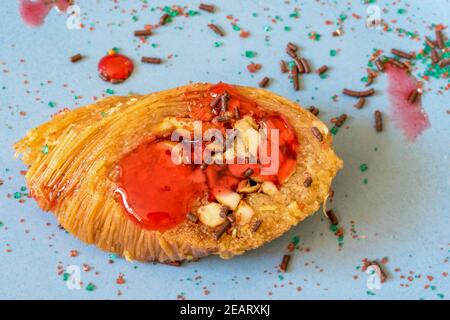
column 158, row 193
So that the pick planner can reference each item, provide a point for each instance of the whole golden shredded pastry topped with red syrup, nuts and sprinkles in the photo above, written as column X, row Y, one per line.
column 107, row 171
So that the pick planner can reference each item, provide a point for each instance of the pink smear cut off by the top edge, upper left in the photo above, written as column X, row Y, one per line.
column 34, row 12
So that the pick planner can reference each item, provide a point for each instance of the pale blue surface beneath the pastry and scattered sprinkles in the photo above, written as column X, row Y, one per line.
column 402, row 213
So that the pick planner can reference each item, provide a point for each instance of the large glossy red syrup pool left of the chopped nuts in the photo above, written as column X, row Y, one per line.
column 156, row 192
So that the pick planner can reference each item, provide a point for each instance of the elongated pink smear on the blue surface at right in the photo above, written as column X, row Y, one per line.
column 410, row 118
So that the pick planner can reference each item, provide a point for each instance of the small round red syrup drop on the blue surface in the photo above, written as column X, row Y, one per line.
column 115, row 68
